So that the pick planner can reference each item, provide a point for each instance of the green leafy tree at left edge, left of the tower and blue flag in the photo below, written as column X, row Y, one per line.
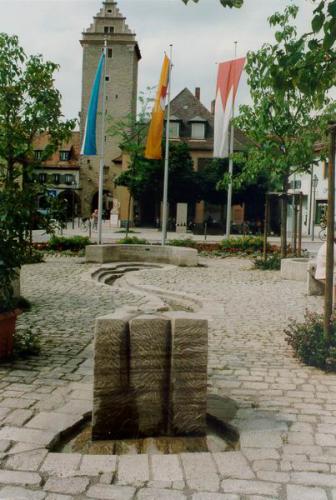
column 29, row 105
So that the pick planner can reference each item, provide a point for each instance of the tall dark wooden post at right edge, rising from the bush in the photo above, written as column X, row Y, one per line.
column 328, row 298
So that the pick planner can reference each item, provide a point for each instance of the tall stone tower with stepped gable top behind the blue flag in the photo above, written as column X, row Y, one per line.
column 122, row 60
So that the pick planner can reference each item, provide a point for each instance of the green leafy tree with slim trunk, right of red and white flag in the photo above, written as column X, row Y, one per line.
column 283, row 123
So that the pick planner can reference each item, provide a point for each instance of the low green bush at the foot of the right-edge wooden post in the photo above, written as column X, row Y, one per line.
column 309, row 344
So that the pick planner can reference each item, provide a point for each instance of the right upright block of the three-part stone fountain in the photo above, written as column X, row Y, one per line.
column 188, row 389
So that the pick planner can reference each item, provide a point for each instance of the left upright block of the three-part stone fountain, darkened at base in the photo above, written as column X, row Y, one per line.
column 114, row 415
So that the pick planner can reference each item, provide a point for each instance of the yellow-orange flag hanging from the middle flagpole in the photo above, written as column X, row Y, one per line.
column 154, row 138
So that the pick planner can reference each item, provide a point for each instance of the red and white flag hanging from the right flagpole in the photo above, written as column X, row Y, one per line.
column 229, row 74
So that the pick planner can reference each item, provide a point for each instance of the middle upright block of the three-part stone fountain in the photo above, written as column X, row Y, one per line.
column 150, row 340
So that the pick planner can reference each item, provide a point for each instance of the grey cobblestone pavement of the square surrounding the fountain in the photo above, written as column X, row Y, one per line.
column 286, row 416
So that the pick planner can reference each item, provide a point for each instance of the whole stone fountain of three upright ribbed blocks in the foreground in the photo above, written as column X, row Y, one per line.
column 150, row 376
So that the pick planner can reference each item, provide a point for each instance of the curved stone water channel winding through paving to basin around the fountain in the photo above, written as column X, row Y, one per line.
column 220, row 435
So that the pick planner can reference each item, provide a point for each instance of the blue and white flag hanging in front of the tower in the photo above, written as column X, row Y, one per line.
column 89, row 147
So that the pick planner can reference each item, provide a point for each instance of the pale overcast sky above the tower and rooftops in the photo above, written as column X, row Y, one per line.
column 202, row 34
